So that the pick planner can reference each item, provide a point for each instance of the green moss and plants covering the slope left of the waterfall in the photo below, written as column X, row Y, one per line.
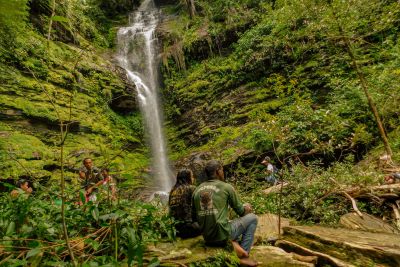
column 43, row 82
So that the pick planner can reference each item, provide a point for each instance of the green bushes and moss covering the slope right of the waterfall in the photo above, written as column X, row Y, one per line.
column 249, row 78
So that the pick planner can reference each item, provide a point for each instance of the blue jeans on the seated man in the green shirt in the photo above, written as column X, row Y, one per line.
column 244, row 227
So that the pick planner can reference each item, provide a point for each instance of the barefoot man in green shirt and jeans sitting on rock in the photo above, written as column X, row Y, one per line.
column 212, row 200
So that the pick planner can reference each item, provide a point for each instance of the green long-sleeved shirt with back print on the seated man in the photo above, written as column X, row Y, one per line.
column 211, row 201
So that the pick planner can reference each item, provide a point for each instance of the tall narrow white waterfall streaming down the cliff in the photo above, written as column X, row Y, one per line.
column 138, row 54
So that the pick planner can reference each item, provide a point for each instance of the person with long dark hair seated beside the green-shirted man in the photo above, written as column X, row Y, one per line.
column 180, row 205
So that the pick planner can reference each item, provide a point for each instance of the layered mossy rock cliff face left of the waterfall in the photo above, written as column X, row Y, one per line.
column 44, row 84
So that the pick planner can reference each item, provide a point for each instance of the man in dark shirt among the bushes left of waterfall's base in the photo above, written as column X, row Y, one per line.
column 91, row 178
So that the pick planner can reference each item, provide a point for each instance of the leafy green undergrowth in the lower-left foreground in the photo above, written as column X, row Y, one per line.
column 104, row 233
